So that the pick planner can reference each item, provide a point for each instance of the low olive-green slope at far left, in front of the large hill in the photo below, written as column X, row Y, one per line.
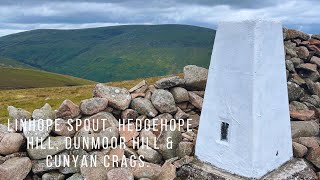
column 16, row 78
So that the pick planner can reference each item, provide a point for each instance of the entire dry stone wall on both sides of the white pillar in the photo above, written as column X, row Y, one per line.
column 169, row 98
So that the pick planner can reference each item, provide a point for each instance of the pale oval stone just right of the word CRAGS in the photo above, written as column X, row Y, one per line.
column 149, row 154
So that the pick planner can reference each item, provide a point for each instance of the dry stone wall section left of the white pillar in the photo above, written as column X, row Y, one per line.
column 168, row 99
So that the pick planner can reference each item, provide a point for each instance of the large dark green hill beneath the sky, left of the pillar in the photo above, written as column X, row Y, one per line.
column 112, row 53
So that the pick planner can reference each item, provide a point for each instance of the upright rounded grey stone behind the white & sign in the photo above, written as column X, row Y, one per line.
column 173, row 136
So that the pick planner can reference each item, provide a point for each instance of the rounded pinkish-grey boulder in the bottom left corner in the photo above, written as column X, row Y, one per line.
column 16, row 168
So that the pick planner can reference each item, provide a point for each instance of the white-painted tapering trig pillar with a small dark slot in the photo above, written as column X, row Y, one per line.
column 245, row 124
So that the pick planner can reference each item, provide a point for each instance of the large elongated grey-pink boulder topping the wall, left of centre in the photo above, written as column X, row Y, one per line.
column 119, row 98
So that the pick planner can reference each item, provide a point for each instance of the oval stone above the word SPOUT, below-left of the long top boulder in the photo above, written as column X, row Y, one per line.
column 93, row 105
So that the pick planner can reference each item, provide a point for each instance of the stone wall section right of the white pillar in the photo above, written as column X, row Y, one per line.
column 303, row 80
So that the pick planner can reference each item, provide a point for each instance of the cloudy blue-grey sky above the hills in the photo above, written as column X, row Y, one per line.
column 21, row 15
